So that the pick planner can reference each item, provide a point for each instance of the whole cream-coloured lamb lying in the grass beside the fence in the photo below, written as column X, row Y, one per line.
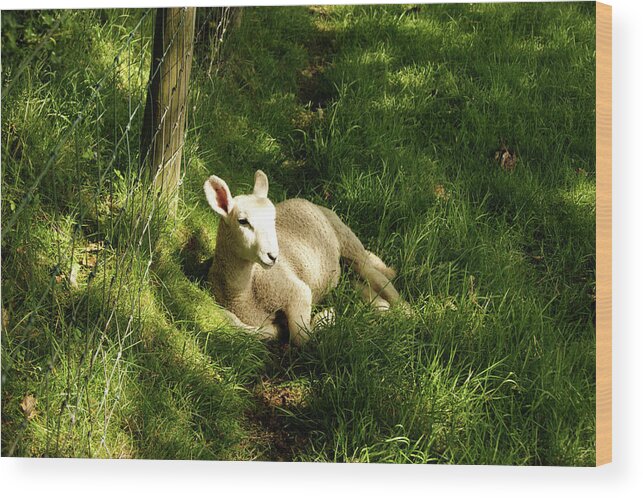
column 280, row 260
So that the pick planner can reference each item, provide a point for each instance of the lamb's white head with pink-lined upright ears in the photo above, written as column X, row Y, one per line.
column 250, row 219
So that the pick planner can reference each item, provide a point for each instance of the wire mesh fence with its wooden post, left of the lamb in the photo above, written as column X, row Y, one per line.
column 82, row 209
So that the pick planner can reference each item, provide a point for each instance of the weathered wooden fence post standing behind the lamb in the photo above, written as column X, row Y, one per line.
column 166, row 107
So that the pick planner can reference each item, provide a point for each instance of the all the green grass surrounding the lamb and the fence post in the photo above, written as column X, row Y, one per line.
column 390, row 115
